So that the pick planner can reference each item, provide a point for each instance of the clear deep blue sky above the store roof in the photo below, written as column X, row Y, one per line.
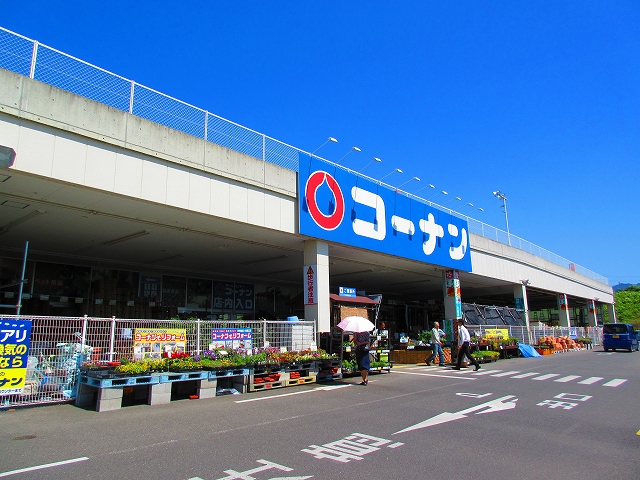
column 539, row 100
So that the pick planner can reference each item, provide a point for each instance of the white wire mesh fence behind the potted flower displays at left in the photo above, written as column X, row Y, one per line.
column 59, row 345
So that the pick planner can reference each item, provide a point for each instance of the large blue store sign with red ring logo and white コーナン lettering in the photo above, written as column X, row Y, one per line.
column 341, row 207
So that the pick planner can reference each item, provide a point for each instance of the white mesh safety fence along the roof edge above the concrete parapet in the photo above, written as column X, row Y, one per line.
column 45, row 64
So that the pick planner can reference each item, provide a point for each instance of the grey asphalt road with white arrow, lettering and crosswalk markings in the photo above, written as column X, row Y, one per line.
column 566, row 416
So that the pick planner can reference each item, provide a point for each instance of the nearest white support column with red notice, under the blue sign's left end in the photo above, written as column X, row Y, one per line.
column 316, row 262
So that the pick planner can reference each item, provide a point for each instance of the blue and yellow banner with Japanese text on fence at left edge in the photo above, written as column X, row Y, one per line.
column 15, row 338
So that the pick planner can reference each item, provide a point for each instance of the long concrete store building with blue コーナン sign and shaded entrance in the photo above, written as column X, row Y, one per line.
column 135, row 218
